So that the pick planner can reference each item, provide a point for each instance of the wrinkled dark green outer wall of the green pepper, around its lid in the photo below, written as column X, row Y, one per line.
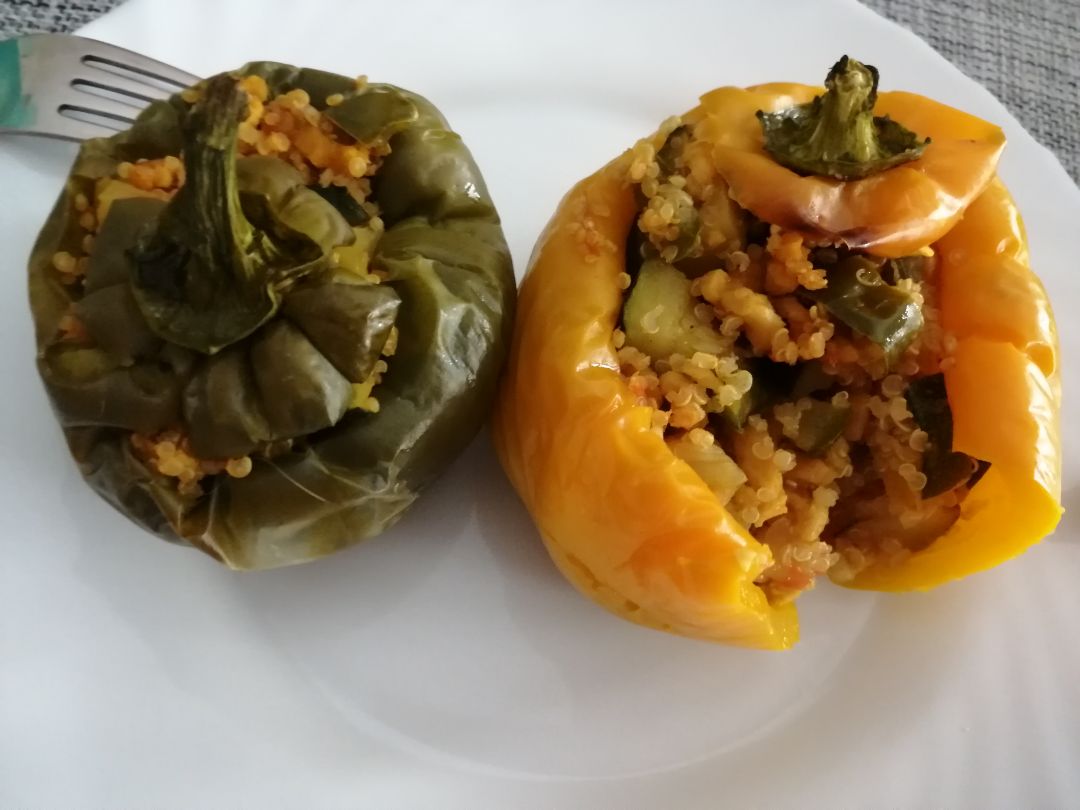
column 444, row 255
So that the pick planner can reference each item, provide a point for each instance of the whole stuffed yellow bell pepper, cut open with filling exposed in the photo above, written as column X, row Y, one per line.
column 793, row 334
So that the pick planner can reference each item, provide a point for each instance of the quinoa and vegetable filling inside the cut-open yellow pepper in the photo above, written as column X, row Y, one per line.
column 802, row 381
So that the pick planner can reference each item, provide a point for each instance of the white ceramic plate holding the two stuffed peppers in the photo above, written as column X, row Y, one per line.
column 448, row 665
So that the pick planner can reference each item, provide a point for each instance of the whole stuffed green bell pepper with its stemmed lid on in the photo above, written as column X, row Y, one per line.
column 273, row 312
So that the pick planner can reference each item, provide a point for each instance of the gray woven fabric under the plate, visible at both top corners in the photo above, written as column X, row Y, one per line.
column 1027, row 52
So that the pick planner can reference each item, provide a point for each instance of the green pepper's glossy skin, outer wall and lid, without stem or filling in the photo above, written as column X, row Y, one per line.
column 450, row 289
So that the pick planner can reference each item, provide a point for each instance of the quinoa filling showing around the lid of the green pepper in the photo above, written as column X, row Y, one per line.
column 289, row 128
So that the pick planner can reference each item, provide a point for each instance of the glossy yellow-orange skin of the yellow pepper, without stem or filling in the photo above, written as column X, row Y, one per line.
column 636, row 529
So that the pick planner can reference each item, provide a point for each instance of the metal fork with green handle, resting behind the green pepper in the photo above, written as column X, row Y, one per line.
column 73, row 88
